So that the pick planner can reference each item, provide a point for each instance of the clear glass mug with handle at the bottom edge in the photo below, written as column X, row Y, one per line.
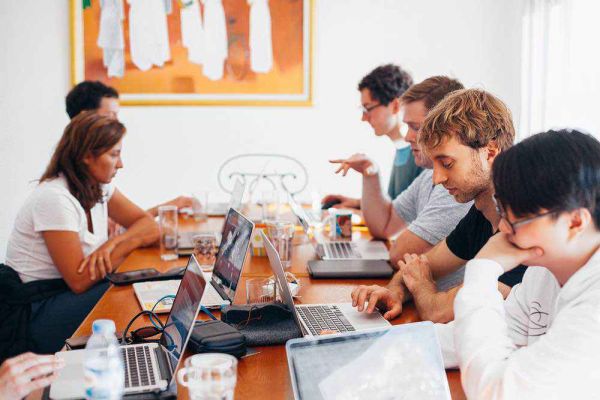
column 209, row 376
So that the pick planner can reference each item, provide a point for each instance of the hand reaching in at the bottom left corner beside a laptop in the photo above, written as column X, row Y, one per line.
column 27, row 372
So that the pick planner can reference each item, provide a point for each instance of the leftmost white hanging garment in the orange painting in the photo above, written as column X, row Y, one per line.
column 110, row 37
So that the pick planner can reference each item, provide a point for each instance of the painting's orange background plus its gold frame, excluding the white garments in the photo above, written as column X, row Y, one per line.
column 180, row 81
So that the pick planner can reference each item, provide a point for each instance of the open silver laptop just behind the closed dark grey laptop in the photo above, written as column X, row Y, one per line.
column 338, row 250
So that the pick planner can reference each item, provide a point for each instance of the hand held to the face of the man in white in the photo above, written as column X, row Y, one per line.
column 501, row 250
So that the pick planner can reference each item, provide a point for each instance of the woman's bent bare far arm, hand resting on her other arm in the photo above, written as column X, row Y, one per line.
column 141, row 231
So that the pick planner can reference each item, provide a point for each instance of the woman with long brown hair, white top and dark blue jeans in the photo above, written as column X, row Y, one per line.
column 61, row 230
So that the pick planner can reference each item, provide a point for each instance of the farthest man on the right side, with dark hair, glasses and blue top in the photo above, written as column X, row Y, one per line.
column 380, row 93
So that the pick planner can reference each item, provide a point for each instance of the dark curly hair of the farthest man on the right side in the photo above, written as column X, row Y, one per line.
column 386, row 83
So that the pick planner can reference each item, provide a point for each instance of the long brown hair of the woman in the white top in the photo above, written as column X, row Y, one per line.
column 87, row 133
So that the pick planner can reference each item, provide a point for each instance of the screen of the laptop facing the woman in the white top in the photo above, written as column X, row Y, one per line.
column 232, row 252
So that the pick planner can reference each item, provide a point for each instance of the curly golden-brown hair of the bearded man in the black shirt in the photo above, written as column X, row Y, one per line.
column 474, row 116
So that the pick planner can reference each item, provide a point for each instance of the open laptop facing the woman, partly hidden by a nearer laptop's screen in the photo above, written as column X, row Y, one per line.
column 237, row 231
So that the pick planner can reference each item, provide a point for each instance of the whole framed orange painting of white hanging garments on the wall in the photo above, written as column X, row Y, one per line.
column 196, row 52
